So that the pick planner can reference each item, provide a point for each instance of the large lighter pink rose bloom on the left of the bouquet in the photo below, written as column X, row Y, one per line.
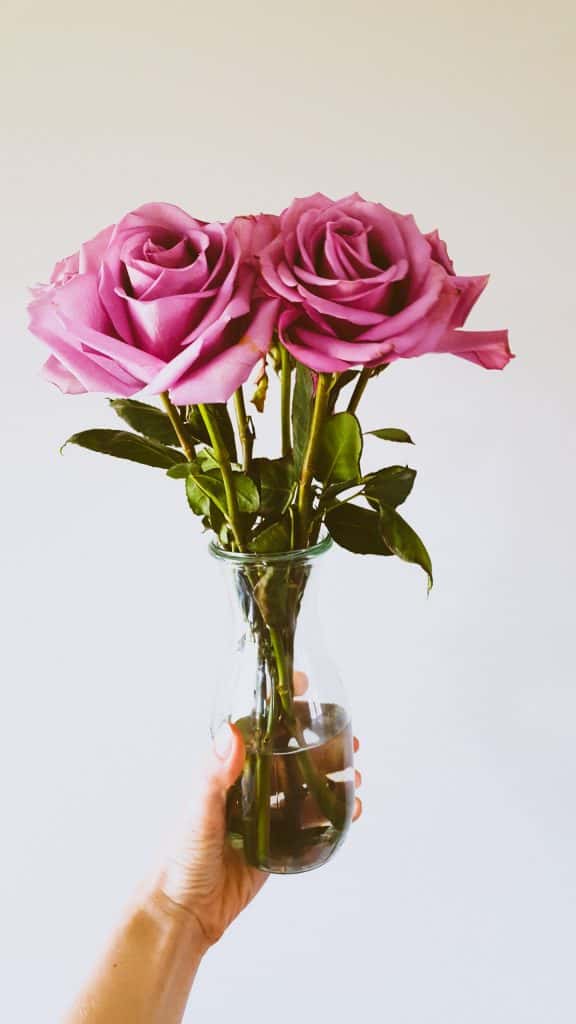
column 160, row 303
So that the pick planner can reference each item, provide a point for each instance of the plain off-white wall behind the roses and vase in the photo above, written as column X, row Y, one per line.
column 455, row 900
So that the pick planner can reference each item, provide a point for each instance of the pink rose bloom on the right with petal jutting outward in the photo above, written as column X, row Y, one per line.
column 362, row 286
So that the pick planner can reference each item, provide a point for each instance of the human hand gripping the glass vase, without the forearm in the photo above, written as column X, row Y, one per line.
column 204, row 875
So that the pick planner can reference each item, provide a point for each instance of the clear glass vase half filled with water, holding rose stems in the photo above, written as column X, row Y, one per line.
column 292, row 807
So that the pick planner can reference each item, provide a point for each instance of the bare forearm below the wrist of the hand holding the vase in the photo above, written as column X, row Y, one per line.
column 148, row 970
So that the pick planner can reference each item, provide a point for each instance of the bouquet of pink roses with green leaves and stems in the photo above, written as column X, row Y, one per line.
column 324, row 297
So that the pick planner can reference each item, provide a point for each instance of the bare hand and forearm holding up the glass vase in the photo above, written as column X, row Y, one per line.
column 148, row 970
